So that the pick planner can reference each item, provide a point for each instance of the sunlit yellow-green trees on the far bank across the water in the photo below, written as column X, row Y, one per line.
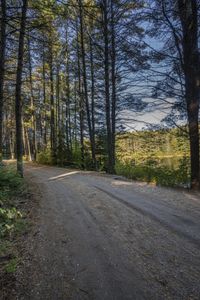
column 142, row 145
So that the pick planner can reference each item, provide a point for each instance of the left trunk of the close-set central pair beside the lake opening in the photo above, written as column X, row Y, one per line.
column 107, row 86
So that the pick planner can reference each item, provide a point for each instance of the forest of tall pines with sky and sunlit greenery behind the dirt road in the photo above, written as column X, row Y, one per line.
column 74, row 76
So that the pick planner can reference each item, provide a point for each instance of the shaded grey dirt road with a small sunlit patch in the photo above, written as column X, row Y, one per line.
column 103, row 238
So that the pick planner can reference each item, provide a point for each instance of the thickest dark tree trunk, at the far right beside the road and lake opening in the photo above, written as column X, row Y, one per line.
column 189, row 22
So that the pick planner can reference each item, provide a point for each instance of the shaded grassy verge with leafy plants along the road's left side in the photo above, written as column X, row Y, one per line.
column 13, row 223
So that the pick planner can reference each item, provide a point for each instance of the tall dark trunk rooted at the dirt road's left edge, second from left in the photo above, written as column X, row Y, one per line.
column 18, row 100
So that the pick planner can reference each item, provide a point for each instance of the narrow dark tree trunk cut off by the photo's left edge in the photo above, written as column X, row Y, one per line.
column 2, row 65
